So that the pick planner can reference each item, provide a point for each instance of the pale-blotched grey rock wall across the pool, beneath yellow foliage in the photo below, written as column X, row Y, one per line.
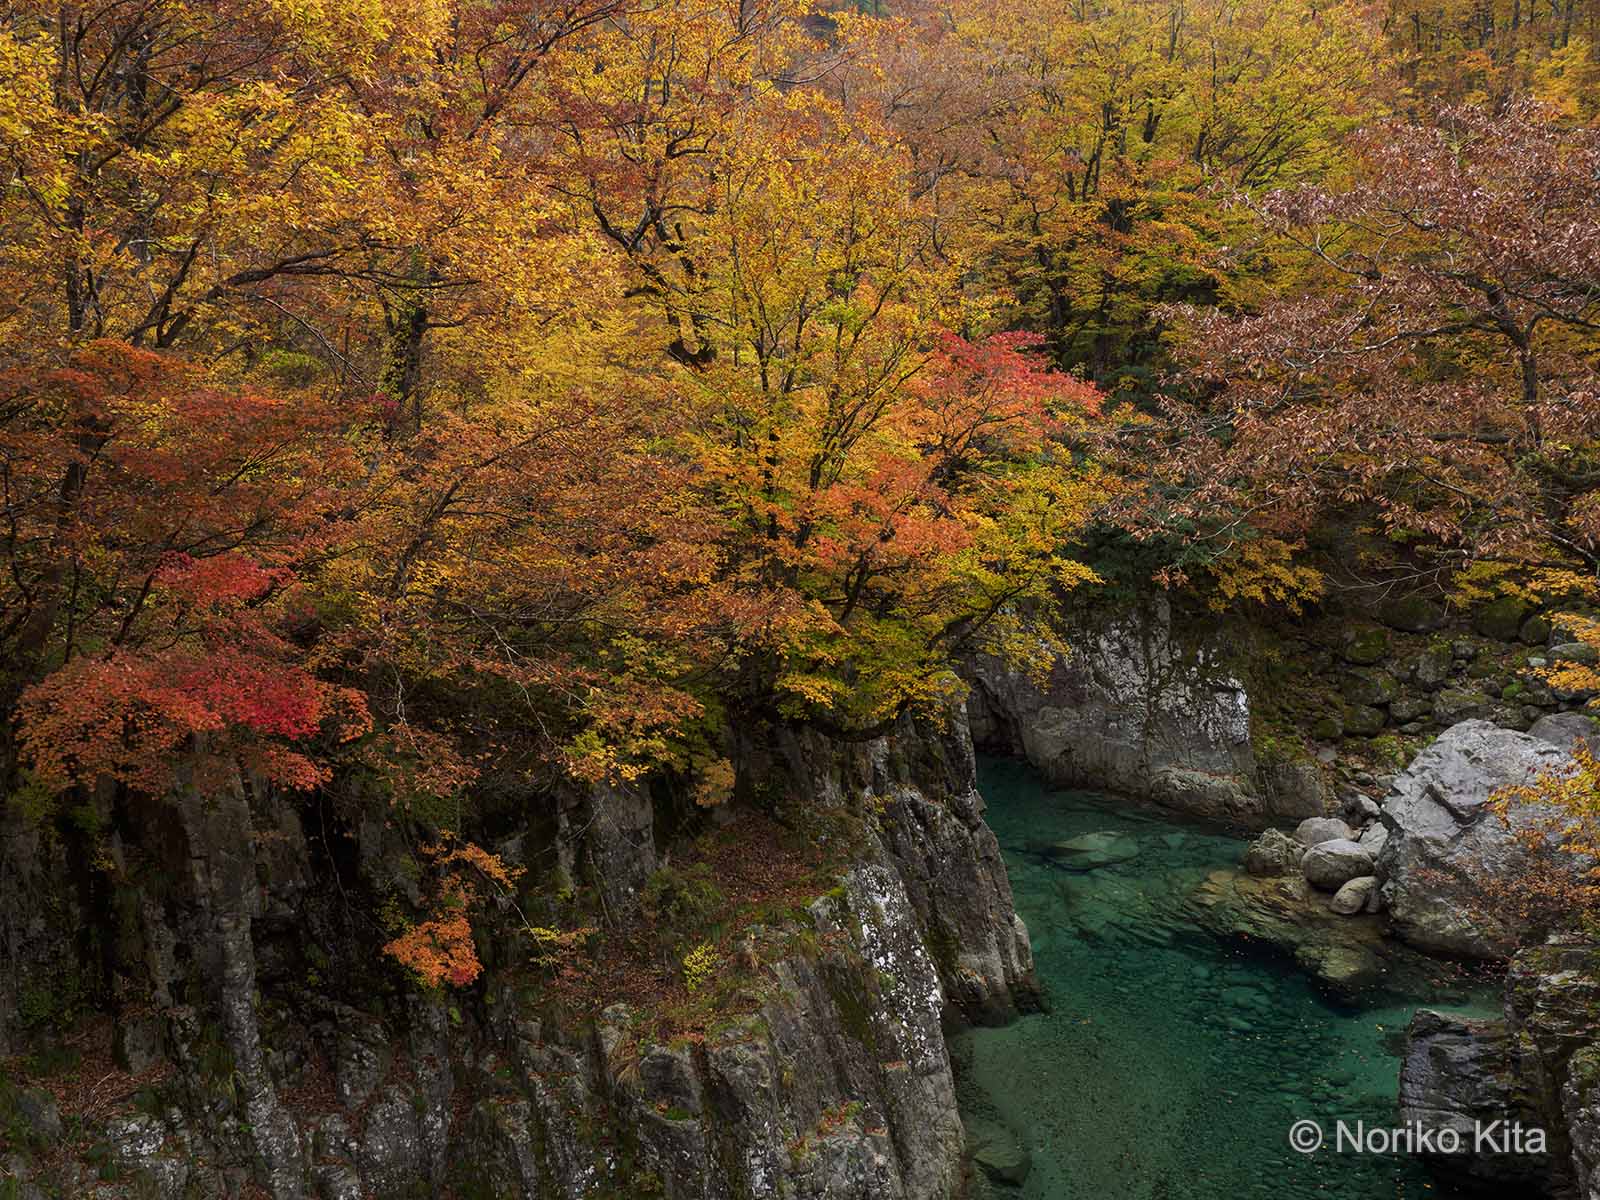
column 1138, row 710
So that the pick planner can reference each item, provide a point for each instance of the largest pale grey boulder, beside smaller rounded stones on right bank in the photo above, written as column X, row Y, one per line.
column 1446, row 849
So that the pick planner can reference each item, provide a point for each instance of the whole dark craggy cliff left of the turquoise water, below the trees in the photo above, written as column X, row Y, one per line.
column 825, row 1073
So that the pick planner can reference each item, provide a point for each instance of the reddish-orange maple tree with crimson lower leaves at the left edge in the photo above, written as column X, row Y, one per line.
column 156, row 532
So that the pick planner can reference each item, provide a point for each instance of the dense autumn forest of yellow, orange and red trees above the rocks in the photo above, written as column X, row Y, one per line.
column 426, row 412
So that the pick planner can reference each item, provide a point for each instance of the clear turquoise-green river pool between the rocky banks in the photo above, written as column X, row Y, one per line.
column 1172, row 1065
